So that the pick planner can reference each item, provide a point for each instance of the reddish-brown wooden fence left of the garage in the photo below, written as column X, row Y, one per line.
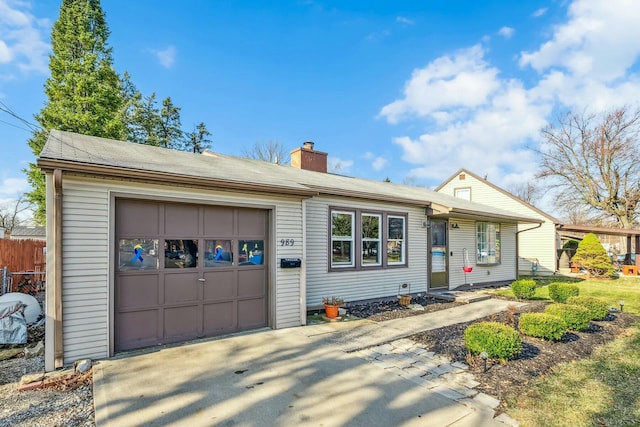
column 23, row 258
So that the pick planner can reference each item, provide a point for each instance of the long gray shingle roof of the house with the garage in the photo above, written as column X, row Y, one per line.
column 71, row 151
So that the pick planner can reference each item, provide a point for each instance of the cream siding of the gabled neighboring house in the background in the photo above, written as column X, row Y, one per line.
column 538, row 244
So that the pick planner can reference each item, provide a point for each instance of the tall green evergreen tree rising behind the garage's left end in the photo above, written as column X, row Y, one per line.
column 84, row 91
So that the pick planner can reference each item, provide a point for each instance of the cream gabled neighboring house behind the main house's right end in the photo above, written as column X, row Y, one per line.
column 537, row 243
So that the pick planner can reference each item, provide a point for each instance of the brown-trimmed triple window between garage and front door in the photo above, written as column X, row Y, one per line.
column 367, row 234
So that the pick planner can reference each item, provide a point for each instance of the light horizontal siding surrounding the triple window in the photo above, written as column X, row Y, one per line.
column 363, row 284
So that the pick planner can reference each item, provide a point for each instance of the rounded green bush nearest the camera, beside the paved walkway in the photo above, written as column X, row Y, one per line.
column 499, row 341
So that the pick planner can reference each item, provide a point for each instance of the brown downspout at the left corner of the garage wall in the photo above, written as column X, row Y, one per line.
column 58, row 349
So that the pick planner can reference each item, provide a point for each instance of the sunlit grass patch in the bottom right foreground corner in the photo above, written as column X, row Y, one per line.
column 599, row 391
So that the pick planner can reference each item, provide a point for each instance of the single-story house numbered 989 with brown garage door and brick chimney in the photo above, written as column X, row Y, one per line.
column 148, row 246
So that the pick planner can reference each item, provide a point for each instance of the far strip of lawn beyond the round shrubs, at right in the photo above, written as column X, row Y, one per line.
column 625, row 289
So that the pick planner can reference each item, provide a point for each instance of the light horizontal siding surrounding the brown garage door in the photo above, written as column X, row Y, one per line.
column 87, row 277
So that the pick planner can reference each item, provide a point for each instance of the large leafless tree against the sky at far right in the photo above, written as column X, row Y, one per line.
column 593, row 161
